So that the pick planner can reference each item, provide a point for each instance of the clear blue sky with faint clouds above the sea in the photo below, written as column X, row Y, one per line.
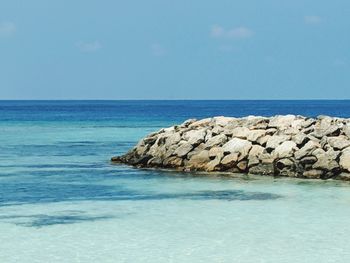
column 175, row 49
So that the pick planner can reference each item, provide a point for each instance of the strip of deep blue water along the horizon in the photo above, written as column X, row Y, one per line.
column 160, row 111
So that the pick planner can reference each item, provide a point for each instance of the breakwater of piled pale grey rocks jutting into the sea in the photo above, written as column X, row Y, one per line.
column 288, row 145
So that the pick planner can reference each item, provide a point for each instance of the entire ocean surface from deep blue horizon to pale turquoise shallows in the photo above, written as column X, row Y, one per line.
column 61, row 200
